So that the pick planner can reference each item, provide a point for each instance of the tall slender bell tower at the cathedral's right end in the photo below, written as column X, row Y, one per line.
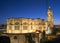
column 50, row 17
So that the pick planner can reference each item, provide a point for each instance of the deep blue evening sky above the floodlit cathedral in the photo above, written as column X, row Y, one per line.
column 29, row 9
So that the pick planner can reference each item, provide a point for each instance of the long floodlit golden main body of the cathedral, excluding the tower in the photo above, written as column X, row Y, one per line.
column 25, row 25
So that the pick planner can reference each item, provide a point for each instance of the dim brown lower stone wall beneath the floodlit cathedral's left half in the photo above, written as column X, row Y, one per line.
column 17, row 39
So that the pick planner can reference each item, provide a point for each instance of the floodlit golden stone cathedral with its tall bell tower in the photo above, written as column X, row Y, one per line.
column 27, row 25
